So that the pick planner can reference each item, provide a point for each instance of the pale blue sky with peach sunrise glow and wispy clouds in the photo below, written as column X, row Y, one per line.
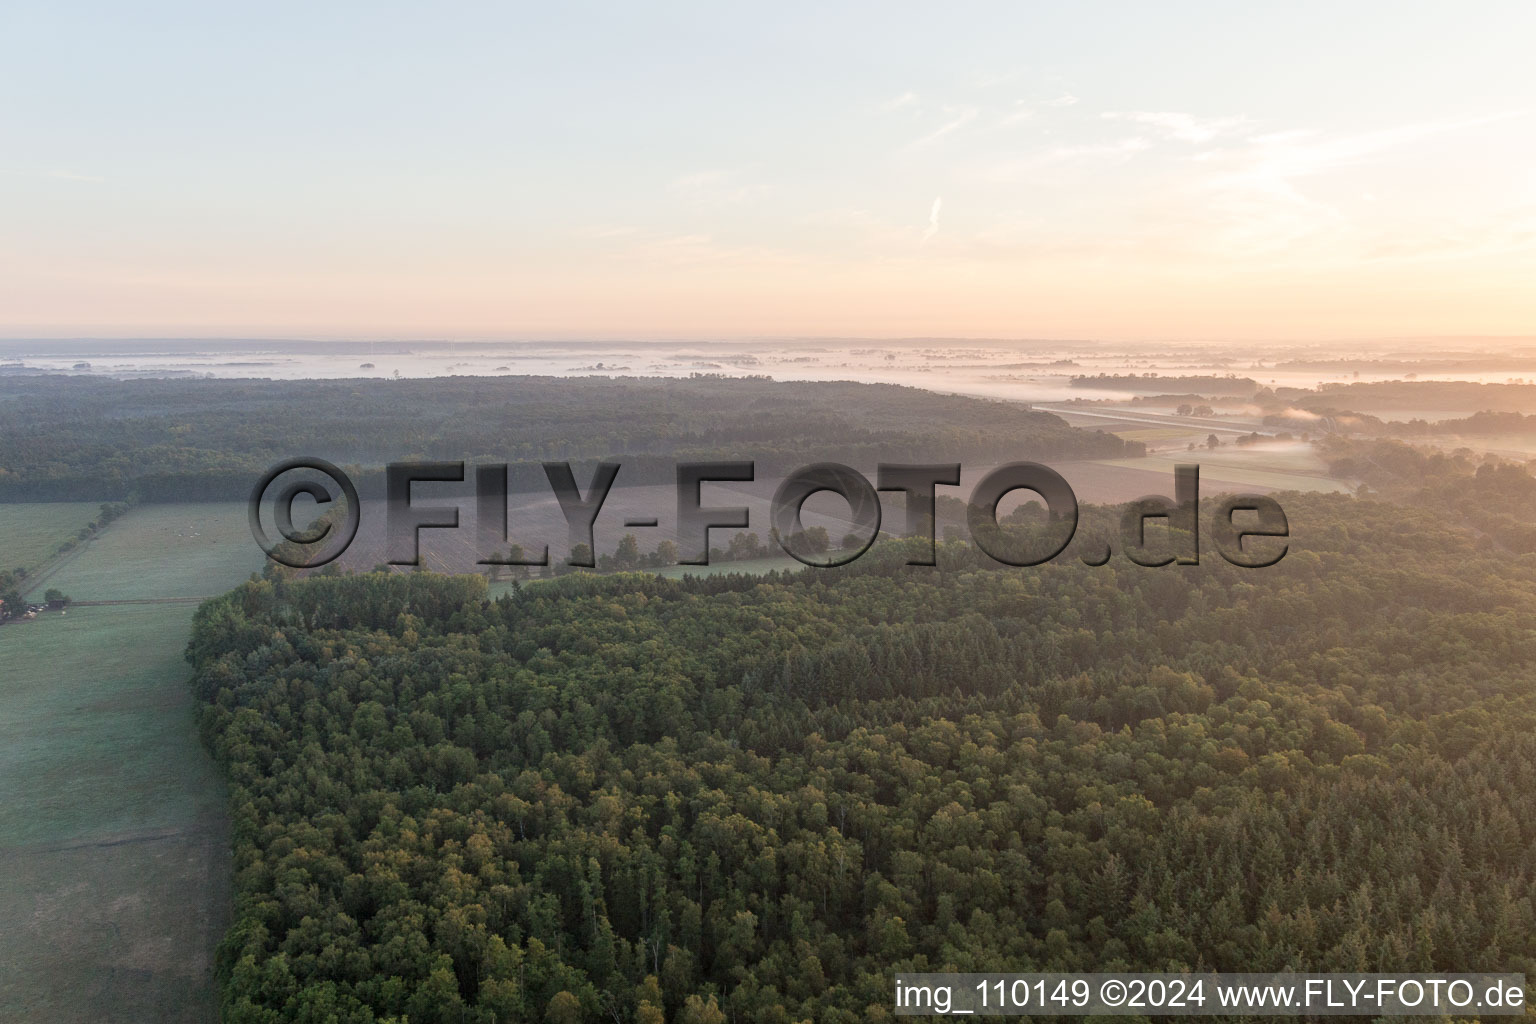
column 1116, row 171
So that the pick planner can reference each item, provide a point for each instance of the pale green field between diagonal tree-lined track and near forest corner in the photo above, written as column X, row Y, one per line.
column 165, row 552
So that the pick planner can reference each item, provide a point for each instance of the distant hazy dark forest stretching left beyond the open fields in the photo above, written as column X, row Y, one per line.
column 70, row 438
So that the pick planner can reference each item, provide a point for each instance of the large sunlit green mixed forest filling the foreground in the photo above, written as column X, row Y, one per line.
column 755, row 799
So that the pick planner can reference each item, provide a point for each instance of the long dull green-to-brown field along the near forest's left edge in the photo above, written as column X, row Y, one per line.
column 114, row 867
